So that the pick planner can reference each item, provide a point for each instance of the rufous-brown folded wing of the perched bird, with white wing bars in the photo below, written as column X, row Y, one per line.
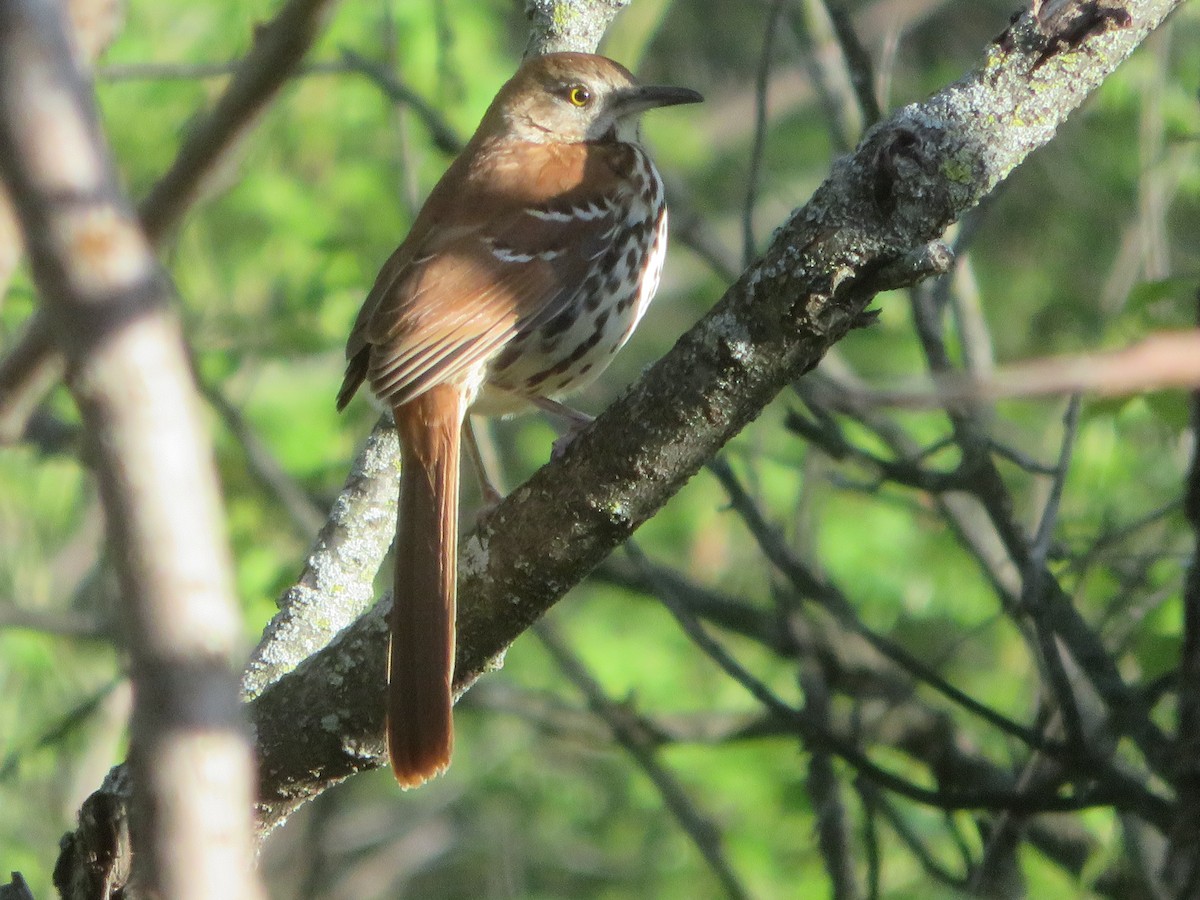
column 440, row 311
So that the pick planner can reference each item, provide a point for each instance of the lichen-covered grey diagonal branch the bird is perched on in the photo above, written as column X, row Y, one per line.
column 910, row 178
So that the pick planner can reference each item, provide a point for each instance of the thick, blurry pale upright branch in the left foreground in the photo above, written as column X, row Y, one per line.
column 109, row 305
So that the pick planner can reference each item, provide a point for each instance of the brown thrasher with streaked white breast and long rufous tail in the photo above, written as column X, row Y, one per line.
column 527, row 269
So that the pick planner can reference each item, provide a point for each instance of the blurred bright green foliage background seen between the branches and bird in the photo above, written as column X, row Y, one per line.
column 271, row 271
